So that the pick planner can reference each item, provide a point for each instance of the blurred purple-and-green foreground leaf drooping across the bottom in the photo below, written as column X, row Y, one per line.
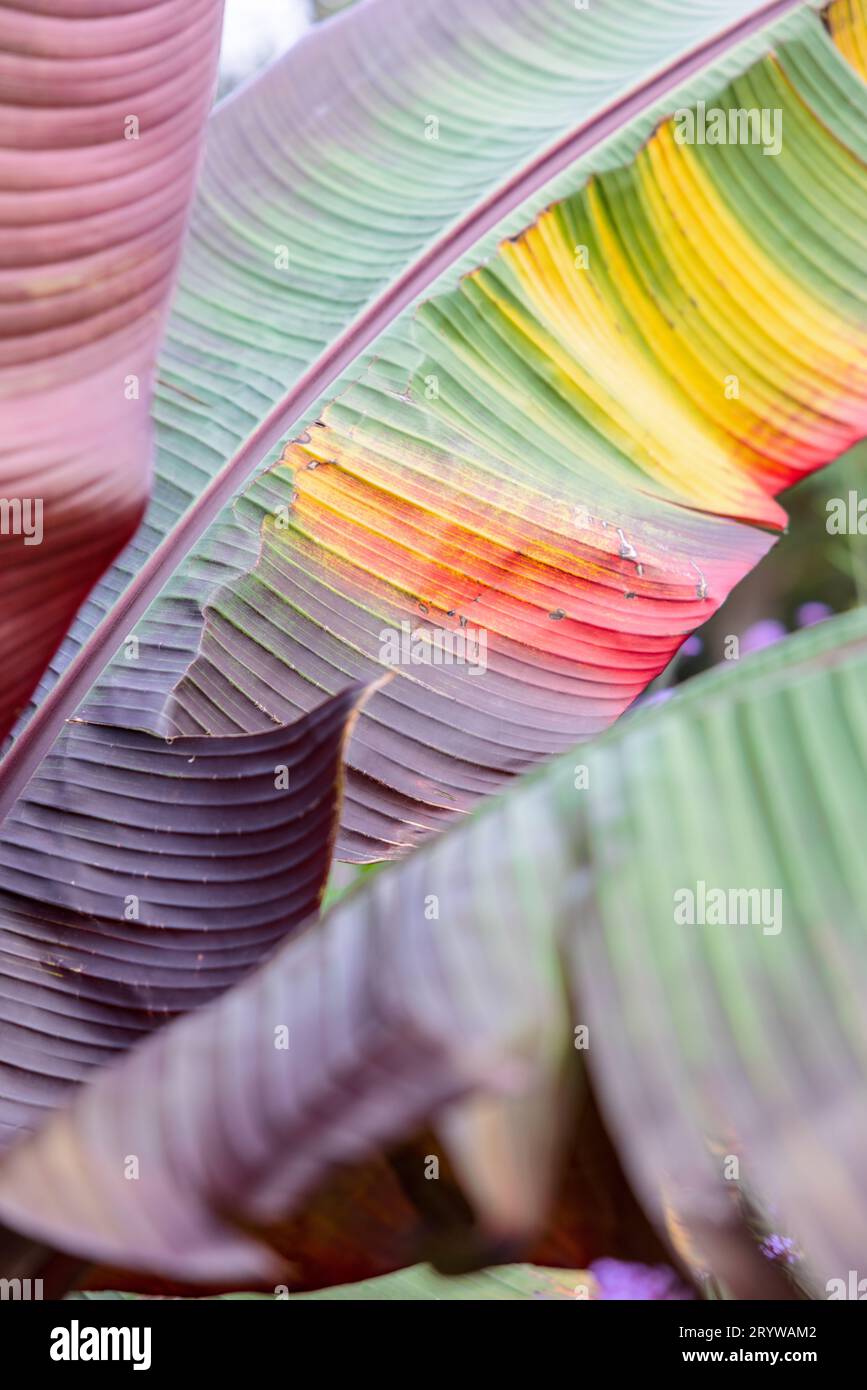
column 469, row 986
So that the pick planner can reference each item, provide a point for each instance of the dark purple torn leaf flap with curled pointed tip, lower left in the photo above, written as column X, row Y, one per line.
column 180, row 868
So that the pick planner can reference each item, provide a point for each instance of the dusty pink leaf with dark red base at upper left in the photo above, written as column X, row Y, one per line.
column 102, row 111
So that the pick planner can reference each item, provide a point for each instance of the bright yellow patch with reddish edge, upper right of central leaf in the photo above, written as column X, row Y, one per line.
column 716, row 373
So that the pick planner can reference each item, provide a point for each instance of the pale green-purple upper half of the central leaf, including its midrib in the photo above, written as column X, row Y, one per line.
column 369, row 213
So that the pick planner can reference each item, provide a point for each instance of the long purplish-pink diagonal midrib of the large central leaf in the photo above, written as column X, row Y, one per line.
column 38, row 737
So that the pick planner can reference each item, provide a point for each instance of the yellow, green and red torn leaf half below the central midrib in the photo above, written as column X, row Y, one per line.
column 583, row 468
